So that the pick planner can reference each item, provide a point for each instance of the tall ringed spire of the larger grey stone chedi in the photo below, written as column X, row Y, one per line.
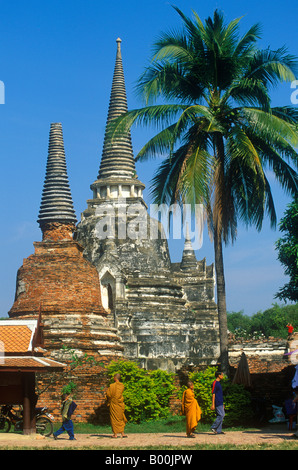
column 117, row 157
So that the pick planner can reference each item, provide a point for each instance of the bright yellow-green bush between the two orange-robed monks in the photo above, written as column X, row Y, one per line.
column 146, row 394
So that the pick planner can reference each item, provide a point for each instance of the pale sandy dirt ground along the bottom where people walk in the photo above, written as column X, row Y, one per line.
column 270, row 435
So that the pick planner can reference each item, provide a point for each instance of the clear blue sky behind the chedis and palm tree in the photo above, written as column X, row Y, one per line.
column 56, row 61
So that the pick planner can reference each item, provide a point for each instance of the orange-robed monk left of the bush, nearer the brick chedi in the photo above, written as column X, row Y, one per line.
column 116, row 405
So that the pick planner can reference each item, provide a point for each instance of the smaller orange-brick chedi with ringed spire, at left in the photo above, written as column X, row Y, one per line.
column 57, row 280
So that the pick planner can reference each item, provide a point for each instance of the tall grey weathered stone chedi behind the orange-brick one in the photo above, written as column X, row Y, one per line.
column 164, row 312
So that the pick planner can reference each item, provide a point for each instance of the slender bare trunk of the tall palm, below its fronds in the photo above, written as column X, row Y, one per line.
column 221, row 302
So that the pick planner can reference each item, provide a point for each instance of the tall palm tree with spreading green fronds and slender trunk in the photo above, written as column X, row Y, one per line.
column 217, row 129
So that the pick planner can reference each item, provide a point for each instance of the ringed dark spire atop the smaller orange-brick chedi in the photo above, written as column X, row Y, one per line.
column 56, row 203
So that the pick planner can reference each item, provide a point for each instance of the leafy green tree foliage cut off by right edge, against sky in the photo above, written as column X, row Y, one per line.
column 288, row 252
